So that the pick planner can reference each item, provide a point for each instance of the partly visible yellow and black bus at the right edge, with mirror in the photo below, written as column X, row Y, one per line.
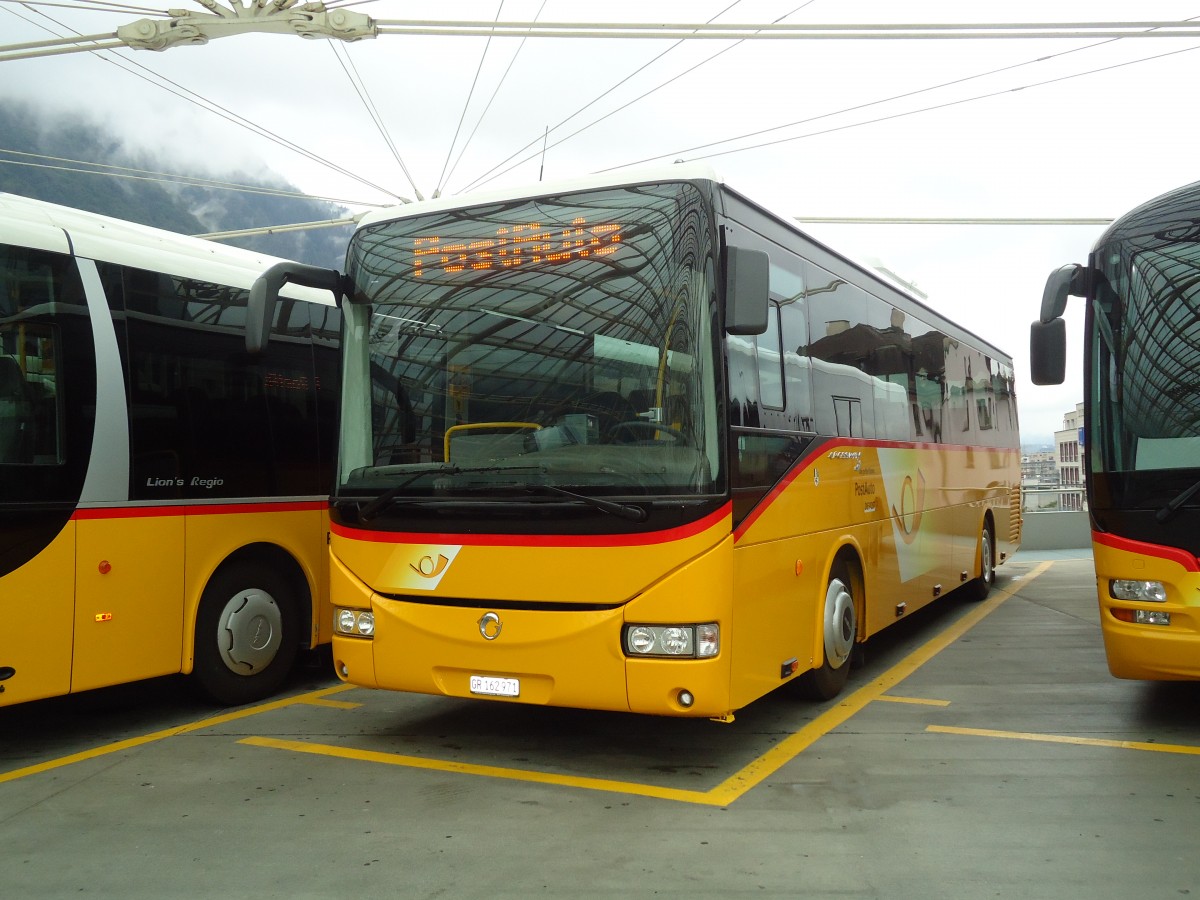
column 1142, row 429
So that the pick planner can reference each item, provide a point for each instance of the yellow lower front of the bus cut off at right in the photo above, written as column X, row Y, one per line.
column 1151, row 652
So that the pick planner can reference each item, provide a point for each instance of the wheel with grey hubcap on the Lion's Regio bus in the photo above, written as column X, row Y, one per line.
column 245, row 635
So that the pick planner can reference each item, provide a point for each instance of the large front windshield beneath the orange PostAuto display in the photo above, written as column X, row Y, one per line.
column 535, row 346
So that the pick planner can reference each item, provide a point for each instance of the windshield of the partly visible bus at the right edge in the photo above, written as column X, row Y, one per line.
column 1147, row 345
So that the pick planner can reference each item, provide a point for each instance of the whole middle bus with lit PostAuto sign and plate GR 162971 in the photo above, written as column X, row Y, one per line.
column 643, row 446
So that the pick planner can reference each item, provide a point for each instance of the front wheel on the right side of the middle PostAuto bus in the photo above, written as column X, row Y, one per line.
column 842, row 611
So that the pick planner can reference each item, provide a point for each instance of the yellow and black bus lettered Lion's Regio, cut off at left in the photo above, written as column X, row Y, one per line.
column 164, row 496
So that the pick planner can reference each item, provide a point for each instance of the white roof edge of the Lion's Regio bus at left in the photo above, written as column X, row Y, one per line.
column 116, row 241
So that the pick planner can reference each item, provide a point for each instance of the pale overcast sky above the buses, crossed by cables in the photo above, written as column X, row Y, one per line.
column 1031, row 129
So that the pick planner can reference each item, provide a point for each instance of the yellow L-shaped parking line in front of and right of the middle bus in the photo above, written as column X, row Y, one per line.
column 737, row 784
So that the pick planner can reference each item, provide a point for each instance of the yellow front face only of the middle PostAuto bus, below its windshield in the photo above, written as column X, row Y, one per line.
column 562, row 657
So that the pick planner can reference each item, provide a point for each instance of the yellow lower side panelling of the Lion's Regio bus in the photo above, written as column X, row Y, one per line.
column 115, row 598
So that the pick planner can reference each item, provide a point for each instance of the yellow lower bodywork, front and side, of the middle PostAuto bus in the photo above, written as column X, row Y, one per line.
column 911, row 517
